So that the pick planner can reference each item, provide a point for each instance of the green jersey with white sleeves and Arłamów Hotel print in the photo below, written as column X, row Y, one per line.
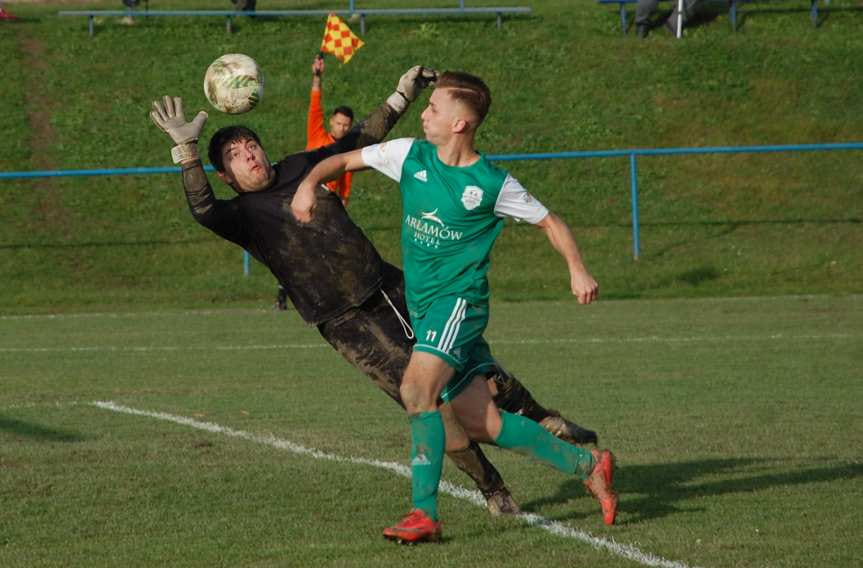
column 451, row 217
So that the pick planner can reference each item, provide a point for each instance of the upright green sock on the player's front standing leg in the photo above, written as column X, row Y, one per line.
column 427, row 450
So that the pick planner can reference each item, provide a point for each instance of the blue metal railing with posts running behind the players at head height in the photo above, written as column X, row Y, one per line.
column 631, row 153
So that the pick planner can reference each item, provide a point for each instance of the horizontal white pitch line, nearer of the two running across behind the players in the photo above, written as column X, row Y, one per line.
column 538, row 341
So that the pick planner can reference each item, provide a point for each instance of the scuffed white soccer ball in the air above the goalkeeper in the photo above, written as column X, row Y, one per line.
column 234, row 83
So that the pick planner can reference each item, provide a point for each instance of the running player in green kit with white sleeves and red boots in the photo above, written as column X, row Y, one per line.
column 454, row 202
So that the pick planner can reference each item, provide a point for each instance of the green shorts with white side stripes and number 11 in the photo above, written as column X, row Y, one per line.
column 452, row 330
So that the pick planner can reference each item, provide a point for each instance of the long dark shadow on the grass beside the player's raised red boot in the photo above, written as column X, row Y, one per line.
column 667, row 489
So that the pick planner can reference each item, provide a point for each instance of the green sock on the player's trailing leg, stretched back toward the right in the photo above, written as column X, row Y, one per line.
column 526, row 437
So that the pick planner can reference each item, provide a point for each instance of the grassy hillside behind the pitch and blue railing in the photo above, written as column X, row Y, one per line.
column 563, row 79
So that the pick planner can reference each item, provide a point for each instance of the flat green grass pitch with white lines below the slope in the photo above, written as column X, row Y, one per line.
column 736, row 423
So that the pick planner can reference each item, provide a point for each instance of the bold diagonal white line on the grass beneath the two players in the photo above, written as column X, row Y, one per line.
column 624, row 550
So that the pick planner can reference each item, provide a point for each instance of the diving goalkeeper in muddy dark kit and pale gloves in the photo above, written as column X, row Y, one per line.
column 332, row 273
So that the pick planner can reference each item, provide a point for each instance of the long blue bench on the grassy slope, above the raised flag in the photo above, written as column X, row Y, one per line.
column 229, row 15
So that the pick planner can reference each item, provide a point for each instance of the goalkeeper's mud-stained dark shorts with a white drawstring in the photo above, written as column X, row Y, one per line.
column 376, row 336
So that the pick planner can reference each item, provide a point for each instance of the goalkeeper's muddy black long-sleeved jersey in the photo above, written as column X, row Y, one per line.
column 326, row 266
